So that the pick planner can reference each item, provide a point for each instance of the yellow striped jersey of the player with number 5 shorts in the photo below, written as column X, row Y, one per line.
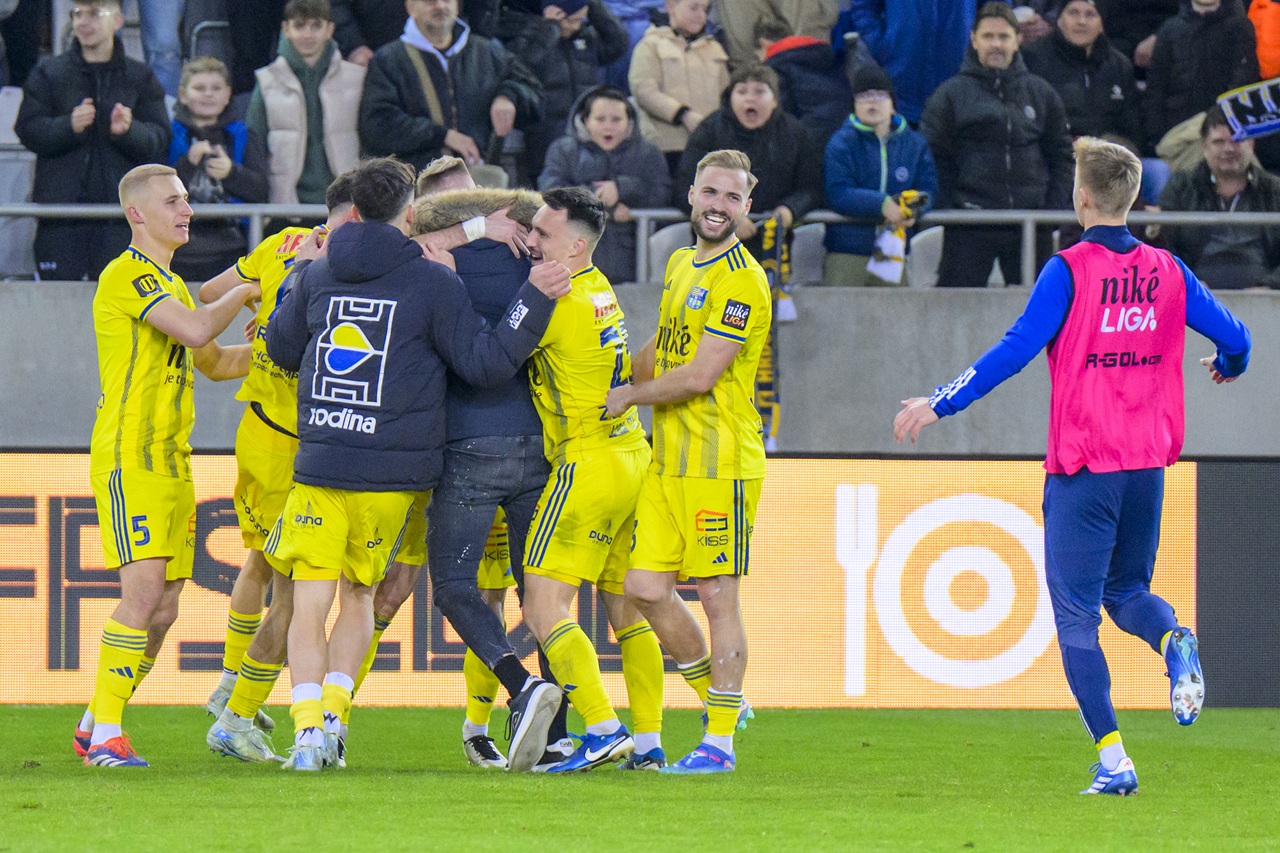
column 148, row 408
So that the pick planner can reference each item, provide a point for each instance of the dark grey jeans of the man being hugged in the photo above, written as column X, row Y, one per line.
column 482, row 475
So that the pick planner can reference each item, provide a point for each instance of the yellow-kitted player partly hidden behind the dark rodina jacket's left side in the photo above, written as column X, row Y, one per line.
column 266, row 446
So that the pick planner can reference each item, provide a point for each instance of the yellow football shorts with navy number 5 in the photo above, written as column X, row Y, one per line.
column 145, row 516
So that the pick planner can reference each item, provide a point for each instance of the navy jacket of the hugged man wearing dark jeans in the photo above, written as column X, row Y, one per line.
column 493, row 277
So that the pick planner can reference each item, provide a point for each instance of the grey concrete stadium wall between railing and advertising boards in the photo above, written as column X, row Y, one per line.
column 847, row 362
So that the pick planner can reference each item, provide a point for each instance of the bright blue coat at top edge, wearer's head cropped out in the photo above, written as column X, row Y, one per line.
column 920, row 43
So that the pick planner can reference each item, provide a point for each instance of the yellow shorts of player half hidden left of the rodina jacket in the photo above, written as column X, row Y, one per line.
column 264, row 458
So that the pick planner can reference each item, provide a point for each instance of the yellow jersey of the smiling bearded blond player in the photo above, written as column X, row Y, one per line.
column 717, row 435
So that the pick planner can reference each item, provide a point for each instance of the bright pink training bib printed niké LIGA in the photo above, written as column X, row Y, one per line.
column 1117, row 366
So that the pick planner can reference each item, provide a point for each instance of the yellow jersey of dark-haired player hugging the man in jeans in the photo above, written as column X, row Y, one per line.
column 583, row 354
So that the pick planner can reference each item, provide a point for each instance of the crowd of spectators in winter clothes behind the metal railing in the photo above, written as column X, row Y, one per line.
column 840, row 104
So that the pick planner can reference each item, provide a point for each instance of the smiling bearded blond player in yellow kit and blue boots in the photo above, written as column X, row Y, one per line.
column 698, row 505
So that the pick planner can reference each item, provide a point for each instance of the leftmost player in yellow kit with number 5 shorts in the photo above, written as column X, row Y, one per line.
column 150, row 337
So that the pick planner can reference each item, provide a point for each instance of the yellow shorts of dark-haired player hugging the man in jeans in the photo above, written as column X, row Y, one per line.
column 583, row 526
